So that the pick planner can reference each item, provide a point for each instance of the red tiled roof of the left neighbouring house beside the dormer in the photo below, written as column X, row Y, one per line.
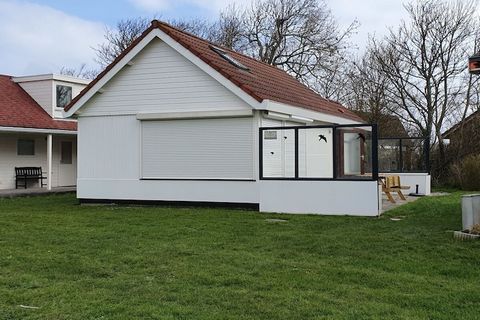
column 18, row 109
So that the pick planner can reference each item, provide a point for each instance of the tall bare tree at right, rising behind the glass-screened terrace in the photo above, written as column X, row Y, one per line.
column 424, row 60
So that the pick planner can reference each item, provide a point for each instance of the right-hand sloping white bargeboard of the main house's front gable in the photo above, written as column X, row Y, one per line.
column 208, row 69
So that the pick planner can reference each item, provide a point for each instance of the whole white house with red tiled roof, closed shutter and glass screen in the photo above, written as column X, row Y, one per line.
column 176, row 119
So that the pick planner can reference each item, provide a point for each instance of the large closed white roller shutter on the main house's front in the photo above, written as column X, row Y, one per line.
column 199, row 149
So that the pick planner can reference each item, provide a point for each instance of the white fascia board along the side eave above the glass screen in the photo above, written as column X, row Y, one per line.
column 274, row 106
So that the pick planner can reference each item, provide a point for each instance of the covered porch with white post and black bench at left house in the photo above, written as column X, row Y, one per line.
column 54, row 151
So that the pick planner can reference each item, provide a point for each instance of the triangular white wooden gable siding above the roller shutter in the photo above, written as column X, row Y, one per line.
column 159, row 80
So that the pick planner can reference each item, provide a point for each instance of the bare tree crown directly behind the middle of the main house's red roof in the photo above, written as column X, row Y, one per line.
column 299, row 36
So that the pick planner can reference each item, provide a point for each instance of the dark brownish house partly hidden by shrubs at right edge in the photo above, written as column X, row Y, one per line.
column 464, row 137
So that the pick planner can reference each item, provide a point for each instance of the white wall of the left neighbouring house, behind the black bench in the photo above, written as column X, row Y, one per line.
column 63, row 174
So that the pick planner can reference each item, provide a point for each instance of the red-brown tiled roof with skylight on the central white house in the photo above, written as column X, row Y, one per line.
column 262, row 81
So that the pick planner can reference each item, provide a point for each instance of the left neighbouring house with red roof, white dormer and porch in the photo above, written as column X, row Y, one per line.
column 33, row 132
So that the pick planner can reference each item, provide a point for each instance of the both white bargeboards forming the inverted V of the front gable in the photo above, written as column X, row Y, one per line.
column 181, row 50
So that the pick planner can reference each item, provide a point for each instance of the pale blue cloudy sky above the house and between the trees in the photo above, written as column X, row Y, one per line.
column 44, row 36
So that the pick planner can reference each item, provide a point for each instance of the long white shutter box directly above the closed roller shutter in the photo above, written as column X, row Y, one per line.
column 195, row 115
